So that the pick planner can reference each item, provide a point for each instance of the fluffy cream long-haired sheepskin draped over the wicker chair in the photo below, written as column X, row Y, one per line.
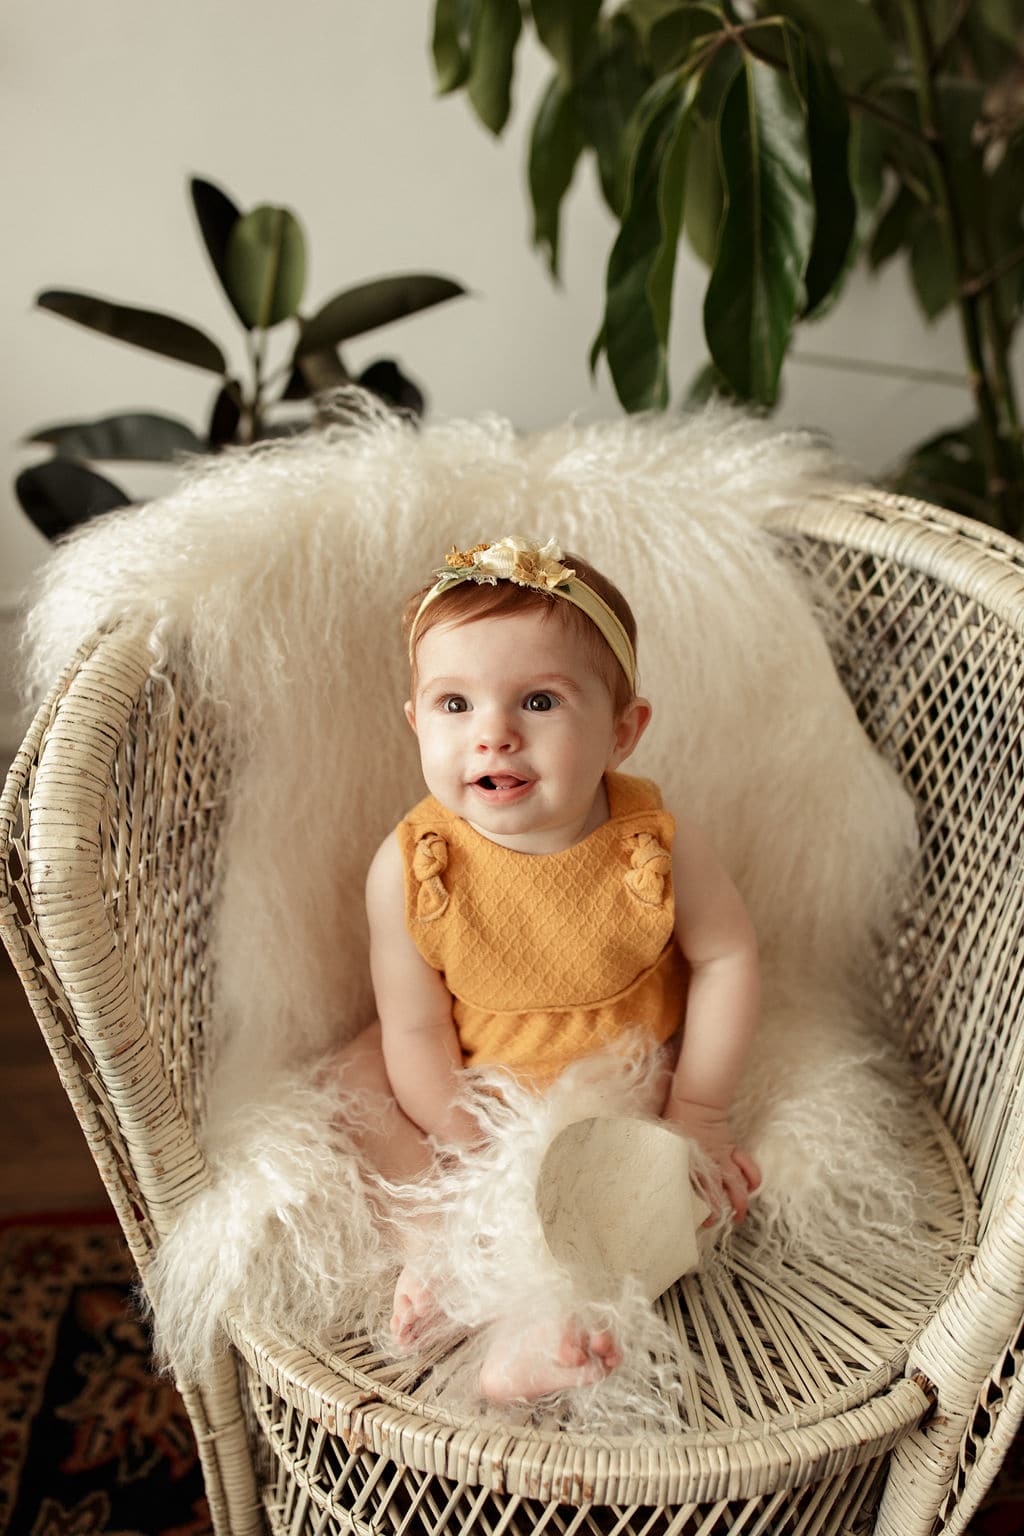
column 276, row 578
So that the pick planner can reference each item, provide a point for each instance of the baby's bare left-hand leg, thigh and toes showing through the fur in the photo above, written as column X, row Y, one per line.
column 398, row 1150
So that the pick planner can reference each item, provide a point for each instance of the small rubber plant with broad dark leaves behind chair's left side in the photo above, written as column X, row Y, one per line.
column 260, row 262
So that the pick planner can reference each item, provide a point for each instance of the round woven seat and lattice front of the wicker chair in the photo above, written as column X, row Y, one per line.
column 775, row 1365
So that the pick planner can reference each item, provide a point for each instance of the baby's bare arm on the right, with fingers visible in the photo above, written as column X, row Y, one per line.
column 718, row 938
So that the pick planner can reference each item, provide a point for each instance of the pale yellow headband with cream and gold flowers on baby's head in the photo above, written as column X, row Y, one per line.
column 538, row 566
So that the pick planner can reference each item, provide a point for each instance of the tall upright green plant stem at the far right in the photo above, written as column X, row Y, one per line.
column 999, row 472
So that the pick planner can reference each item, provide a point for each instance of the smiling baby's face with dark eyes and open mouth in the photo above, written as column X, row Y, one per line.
column 515, row 729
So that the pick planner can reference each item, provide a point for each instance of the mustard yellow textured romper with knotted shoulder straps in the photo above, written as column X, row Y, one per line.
column 550, row 958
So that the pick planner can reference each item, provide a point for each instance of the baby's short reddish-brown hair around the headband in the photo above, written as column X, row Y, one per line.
column 475, row 600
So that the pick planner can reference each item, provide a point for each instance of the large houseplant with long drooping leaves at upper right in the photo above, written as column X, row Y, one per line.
column 787, row 141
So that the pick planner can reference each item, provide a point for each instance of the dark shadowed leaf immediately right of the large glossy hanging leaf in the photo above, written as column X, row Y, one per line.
column 834, row 204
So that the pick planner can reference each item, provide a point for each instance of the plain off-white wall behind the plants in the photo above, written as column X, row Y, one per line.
column 328, row 107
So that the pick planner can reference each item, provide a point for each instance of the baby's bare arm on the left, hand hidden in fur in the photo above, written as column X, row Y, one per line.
column 421, row 1048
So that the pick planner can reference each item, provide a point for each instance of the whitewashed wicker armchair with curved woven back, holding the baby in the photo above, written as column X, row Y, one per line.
column 831, row 1403
